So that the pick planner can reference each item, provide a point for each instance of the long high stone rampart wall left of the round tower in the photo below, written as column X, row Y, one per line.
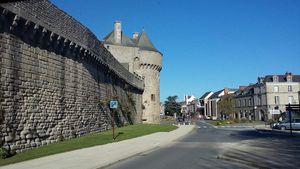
column 56, row 83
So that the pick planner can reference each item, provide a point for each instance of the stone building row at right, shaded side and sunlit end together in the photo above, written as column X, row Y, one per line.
column 267, row 99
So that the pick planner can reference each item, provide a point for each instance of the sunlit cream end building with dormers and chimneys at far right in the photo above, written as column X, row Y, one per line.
column 273, row 92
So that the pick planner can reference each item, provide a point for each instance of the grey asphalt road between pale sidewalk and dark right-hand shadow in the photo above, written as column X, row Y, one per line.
column 199, row 149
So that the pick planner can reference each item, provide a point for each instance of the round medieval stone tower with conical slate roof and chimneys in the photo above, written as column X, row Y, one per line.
column 140, row 57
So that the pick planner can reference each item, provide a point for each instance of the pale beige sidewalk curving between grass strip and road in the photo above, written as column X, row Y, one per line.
column 100, row 156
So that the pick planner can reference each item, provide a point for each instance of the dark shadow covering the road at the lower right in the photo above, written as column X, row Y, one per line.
column 265, row 149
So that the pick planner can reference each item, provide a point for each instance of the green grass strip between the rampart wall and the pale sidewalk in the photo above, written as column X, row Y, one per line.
column 89, row 140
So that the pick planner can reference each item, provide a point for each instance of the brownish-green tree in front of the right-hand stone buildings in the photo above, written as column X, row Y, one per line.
column 225, row 105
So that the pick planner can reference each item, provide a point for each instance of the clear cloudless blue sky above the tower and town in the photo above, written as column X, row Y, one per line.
column 206, row 44
